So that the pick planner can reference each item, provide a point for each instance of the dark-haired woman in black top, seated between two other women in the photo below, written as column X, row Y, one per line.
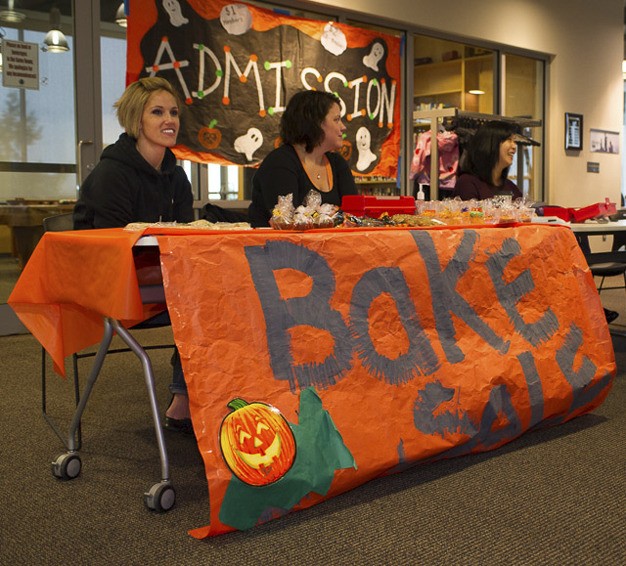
column 312, row 131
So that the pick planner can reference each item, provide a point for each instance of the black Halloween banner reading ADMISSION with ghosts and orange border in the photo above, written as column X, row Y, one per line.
column 237, row 65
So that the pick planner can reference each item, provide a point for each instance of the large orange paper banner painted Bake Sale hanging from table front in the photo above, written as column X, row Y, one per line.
column 317, row 361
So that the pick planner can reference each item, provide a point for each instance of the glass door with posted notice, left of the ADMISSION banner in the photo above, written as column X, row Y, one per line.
column 54, row 125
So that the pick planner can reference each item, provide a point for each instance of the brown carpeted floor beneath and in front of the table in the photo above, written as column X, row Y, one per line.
column 555, row 496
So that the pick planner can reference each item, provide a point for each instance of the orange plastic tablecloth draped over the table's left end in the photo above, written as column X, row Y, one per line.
column 71, row 281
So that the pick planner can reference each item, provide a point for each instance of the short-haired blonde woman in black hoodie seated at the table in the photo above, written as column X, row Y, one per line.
column 138, row 180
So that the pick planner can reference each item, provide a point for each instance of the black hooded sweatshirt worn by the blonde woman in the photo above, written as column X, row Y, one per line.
column 125, row 188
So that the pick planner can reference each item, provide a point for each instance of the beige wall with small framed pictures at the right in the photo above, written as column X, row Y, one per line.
column 585, row 39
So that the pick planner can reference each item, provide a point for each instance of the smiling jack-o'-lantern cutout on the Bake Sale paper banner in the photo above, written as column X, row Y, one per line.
column 257, row 443
